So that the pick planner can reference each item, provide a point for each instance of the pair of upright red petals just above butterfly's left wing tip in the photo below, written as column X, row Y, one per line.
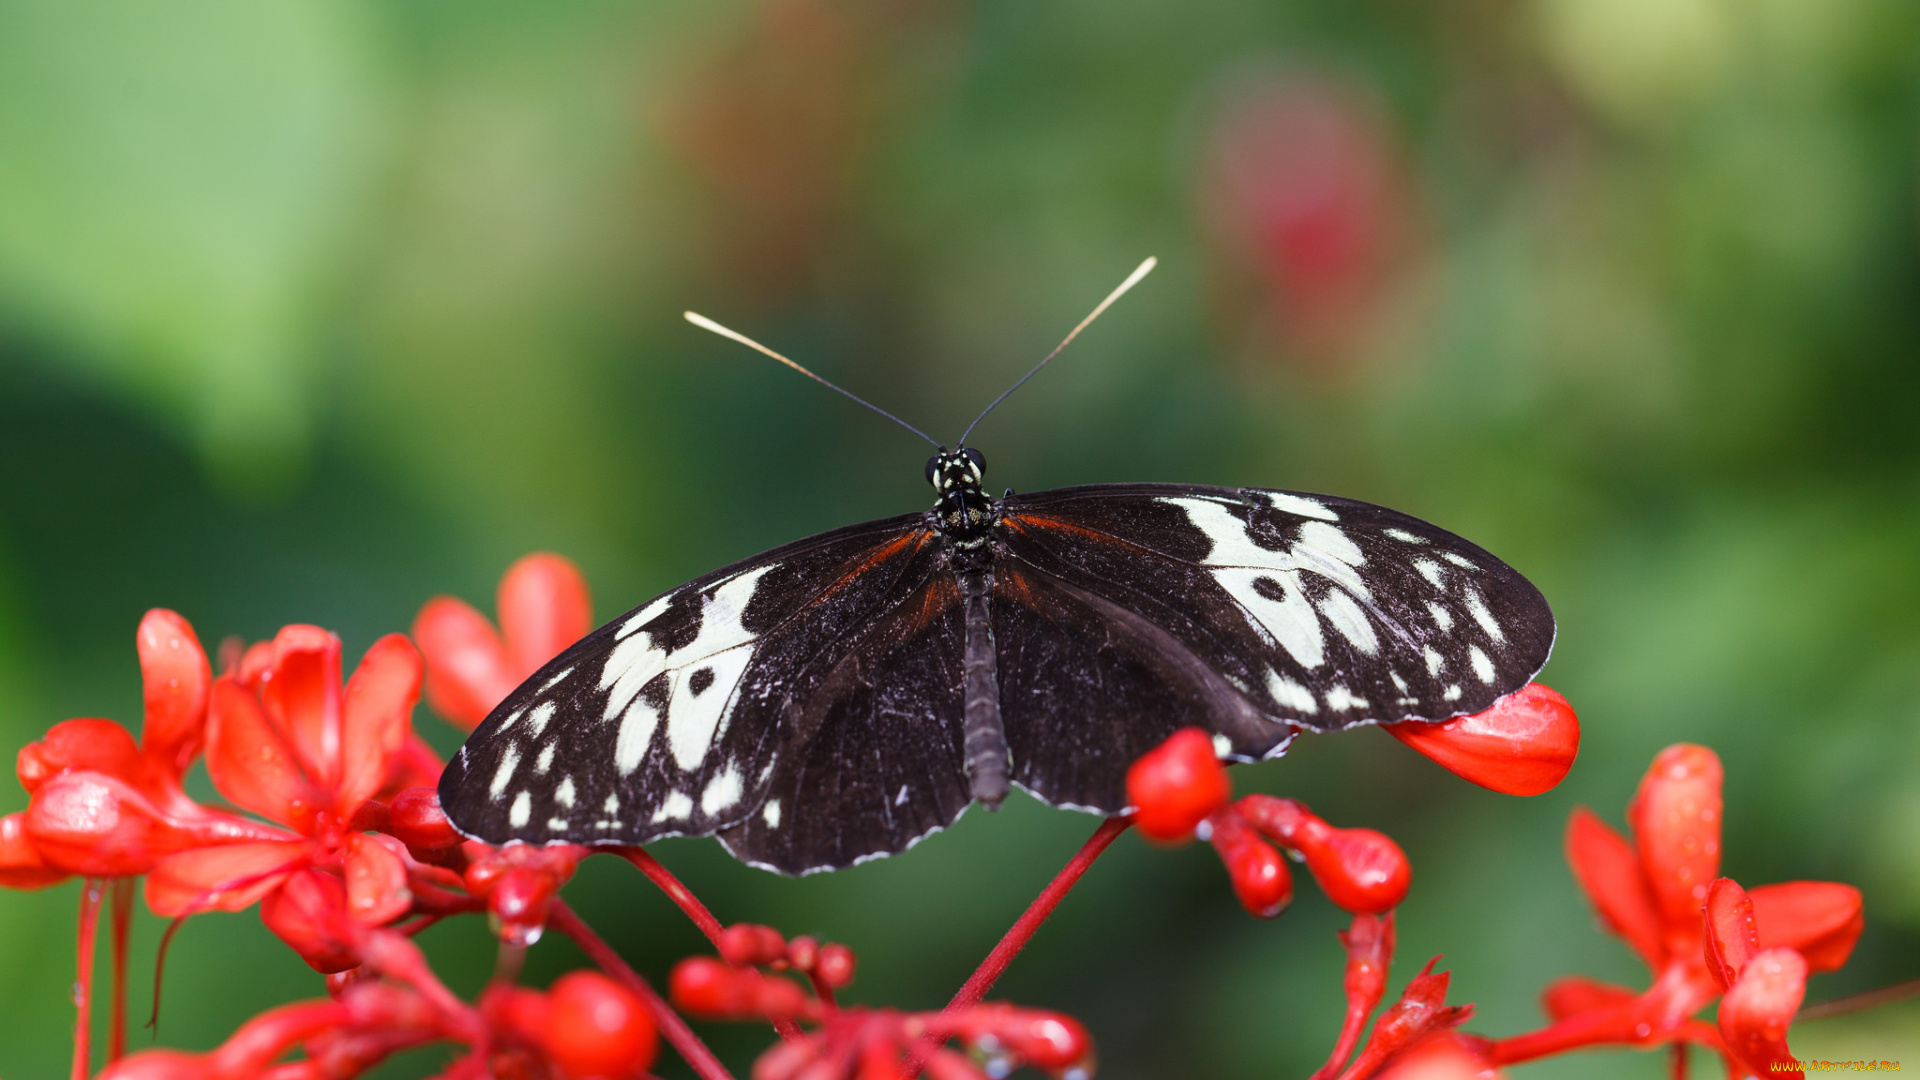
column 544, row 608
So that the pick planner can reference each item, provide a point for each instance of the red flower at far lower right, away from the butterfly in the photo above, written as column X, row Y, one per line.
column 1654, row 893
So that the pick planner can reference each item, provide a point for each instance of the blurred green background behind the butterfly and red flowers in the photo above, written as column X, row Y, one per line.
column 312, row 310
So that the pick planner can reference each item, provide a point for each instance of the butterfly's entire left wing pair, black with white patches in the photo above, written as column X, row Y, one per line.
column 679, row 718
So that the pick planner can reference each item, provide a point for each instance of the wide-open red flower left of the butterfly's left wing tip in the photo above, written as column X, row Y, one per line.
column 289, row 743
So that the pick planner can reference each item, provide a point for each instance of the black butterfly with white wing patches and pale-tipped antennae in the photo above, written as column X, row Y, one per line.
column 844, row 697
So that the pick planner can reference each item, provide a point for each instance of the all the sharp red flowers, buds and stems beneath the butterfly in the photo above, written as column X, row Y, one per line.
column 333, row 829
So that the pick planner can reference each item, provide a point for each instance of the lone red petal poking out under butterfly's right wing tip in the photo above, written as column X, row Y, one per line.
column 1522, row 747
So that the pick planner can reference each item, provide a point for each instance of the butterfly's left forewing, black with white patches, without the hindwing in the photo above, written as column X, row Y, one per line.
column 669, row 720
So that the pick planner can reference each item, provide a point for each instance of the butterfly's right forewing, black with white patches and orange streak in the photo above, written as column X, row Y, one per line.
column 1322, row 612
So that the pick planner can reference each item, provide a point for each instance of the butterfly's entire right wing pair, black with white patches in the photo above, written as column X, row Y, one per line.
column 1318, row 612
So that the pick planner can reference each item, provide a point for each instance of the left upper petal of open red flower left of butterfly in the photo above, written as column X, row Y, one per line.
column 251, row 764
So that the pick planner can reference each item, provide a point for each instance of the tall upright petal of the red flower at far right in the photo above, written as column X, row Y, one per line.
column 1677, row 827
